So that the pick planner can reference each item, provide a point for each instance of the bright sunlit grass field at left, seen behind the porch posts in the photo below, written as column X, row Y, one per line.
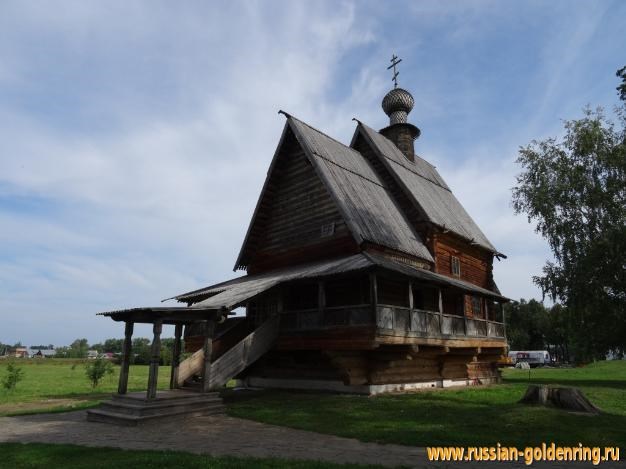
column 61, row 384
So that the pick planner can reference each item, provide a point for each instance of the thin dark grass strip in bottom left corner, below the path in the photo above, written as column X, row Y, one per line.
column 35, row 455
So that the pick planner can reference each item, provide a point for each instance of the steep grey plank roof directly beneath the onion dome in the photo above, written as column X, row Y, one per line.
column 423, row 184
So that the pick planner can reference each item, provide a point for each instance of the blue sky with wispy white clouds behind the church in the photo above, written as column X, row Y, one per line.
column 135, row 136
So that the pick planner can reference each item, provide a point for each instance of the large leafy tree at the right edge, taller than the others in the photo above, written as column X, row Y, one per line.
column 575, row 190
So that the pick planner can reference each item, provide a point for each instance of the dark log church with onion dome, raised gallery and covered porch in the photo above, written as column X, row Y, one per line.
column 364, row 274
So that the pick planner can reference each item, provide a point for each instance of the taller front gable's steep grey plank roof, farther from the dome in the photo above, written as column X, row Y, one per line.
column 364, row 202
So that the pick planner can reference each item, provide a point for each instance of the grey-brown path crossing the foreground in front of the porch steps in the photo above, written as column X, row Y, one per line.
column 219, row 435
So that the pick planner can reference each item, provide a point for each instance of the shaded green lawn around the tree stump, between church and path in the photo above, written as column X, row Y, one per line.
column 467, row 416
